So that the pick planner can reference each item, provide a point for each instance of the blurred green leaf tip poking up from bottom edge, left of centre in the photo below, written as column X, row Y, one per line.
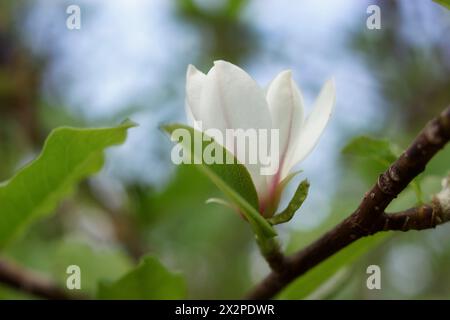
column 150, row 280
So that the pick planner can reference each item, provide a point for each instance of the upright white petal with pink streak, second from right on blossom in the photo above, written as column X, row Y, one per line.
column 286, row 107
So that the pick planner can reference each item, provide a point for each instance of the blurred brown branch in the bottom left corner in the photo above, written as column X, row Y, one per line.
column 30, row 282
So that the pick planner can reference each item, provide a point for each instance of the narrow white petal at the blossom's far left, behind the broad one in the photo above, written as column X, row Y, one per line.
column 194, row 84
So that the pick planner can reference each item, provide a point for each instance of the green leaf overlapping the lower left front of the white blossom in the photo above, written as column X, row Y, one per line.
column 233, row 179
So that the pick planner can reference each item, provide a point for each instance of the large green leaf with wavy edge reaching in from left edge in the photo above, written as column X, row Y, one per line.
column 69, row 155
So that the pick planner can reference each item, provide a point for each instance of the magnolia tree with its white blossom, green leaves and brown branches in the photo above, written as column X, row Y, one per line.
column 248, row 140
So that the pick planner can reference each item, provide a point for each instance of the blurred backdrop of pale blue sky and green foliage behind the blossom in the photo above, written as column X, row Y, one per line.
column 129, row 60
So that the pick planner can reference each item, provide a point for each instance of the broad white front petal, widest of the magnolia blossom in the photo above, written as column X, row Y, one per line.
column 231, row 99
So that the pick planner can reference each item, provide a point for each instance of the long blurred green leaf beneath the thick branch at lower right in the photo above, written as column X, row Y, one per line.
column 305, row 285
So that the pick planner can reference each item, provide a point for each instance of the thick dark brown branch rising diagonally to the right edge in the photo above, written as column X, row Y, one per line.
column 369, row 217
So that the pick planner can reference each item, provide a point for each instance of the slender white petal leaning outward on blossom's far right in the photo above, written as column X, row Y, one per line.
column 315, row 123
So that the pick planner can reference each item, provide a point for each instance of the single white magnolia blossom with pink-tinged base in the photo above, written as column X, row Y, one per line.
column 228, row 98
